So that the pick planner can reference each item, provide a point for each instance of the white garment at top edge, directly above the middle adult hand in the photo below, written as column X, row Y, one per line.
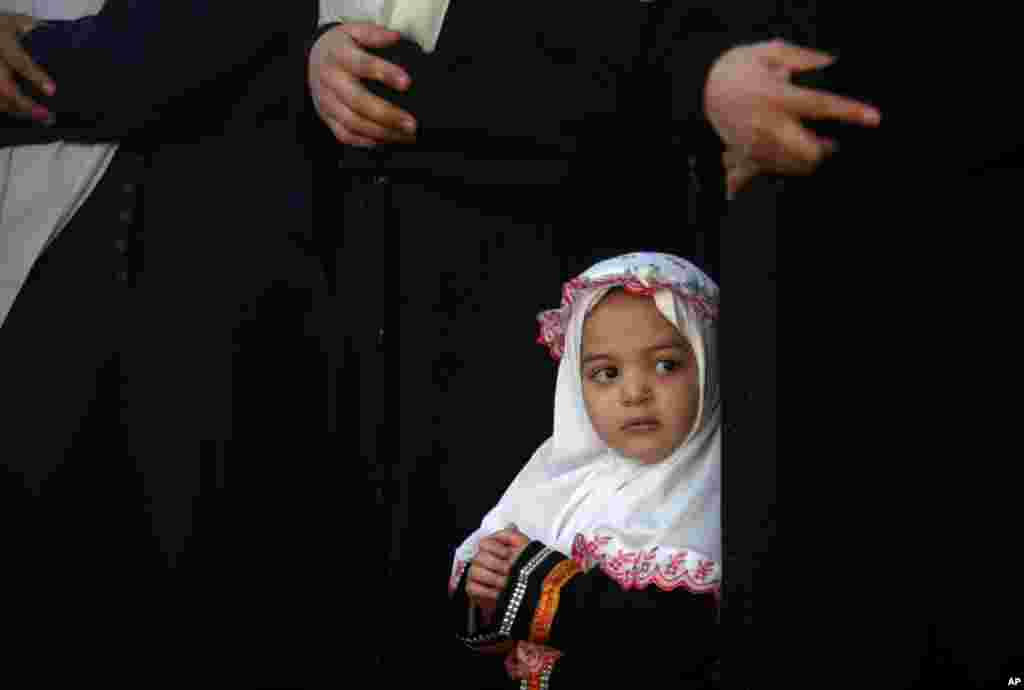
column 419, row 21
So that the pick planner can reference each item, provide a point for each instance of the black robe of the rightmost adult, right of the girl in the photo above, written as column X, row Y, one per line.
column 879, row 235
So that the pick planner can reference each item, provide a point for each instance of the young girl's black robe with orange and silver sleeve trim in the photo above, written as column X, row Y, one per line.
column 607, row 634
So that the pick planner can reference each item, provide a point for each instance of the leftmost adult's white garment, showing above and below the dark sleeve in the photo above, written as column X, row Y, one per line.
column 42, row 187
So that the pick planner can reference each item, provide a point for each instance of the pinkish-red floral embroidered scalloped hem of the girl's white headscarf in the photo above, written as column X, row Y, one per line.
column 639, row 570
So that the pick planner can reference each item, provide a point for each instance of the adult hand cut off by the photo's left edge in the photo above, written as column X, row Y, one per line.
column 16, row 62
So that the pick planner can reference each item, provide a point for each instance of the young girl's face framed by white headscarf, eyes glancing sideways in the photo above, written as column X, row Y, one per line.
column 639, row 378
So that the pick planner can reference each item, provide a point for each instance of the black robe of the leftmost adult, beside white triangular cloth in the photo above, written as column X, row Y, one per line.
column 216, row 465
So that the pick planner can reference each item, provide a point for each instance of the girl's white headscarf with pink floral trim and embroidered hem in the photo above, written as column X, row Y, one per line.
column 643, row 525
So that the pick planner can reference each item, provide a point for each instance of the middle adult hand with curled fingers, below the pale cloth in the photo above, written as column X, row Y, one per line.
column 337, row 67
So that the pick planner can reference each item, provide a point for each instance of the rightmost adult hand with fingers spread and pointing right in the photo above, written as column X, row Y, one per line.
column 758, row 112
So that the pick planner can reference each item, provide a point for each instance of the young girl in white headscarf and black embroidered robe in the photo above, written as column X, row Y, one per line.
column 603, row 560
